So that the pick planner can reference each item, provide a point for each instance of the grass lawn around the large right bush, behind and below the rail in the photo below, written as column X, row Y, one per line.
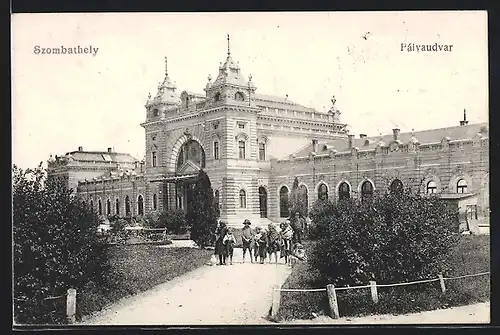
column 472, row 255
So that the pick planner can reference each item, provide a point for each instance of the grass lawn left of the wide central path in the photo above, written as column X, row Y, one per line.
column 137, row 268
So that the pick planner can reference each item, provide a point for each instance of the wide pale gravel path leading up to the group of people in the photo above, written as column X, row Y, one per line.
column 232, row 294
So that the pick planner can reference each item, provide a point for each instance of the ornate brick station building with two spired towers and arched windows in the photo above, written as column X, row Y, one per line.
column 252, row 146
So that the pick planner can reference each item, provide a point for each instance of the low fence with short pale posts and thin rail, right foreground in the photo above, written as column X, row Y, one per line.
column 332, row 297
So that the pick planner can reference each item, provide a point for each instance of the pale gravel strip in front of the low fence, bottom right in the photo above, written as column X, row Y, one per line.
column 471, row 314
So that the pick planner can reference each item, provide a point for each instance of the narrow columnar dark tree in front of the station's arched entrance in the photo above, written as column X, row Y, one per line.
column 201, row 215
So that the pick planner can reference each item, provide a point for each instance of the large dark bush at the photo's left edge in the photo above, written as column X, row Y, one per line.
column 56, row 246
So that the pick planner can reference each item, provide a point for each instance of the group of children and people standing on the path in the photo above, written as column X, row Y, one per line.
column 262, row 244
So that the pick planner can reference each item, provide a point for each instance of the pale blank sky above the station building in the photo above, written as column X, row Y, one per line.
column 61, row 102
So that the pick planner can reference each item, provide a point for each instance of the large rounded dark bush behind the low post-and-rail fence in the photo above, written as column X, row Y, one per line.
column 393, row 238
